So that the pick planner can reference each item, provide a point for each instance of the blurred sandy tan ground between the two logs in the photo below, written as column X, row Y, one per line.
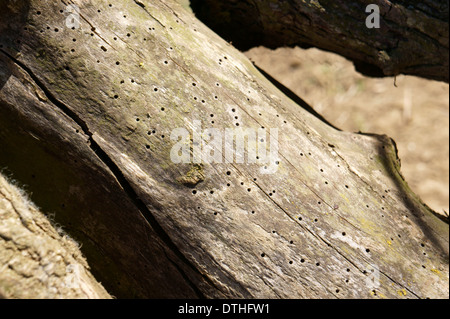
column 415, row 113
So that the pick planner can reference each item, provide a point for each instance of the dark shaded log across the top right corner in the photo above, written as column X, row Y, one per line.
column 412, row 39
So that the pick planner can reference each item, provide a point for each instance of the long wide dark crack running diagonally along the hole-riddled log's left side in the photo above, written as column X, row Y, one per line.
column 121, row 179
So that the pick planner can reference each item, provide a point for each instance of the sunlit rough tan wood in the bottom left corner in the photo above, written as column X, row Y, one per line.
column 35, row 260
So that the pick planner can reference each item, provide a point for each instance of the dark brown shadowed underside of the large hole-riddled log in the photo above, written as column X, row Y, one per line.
column 74, row 189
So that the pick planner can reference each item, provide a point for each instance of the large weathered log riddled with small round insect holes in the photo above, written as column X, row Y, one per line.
column 86, row 116
